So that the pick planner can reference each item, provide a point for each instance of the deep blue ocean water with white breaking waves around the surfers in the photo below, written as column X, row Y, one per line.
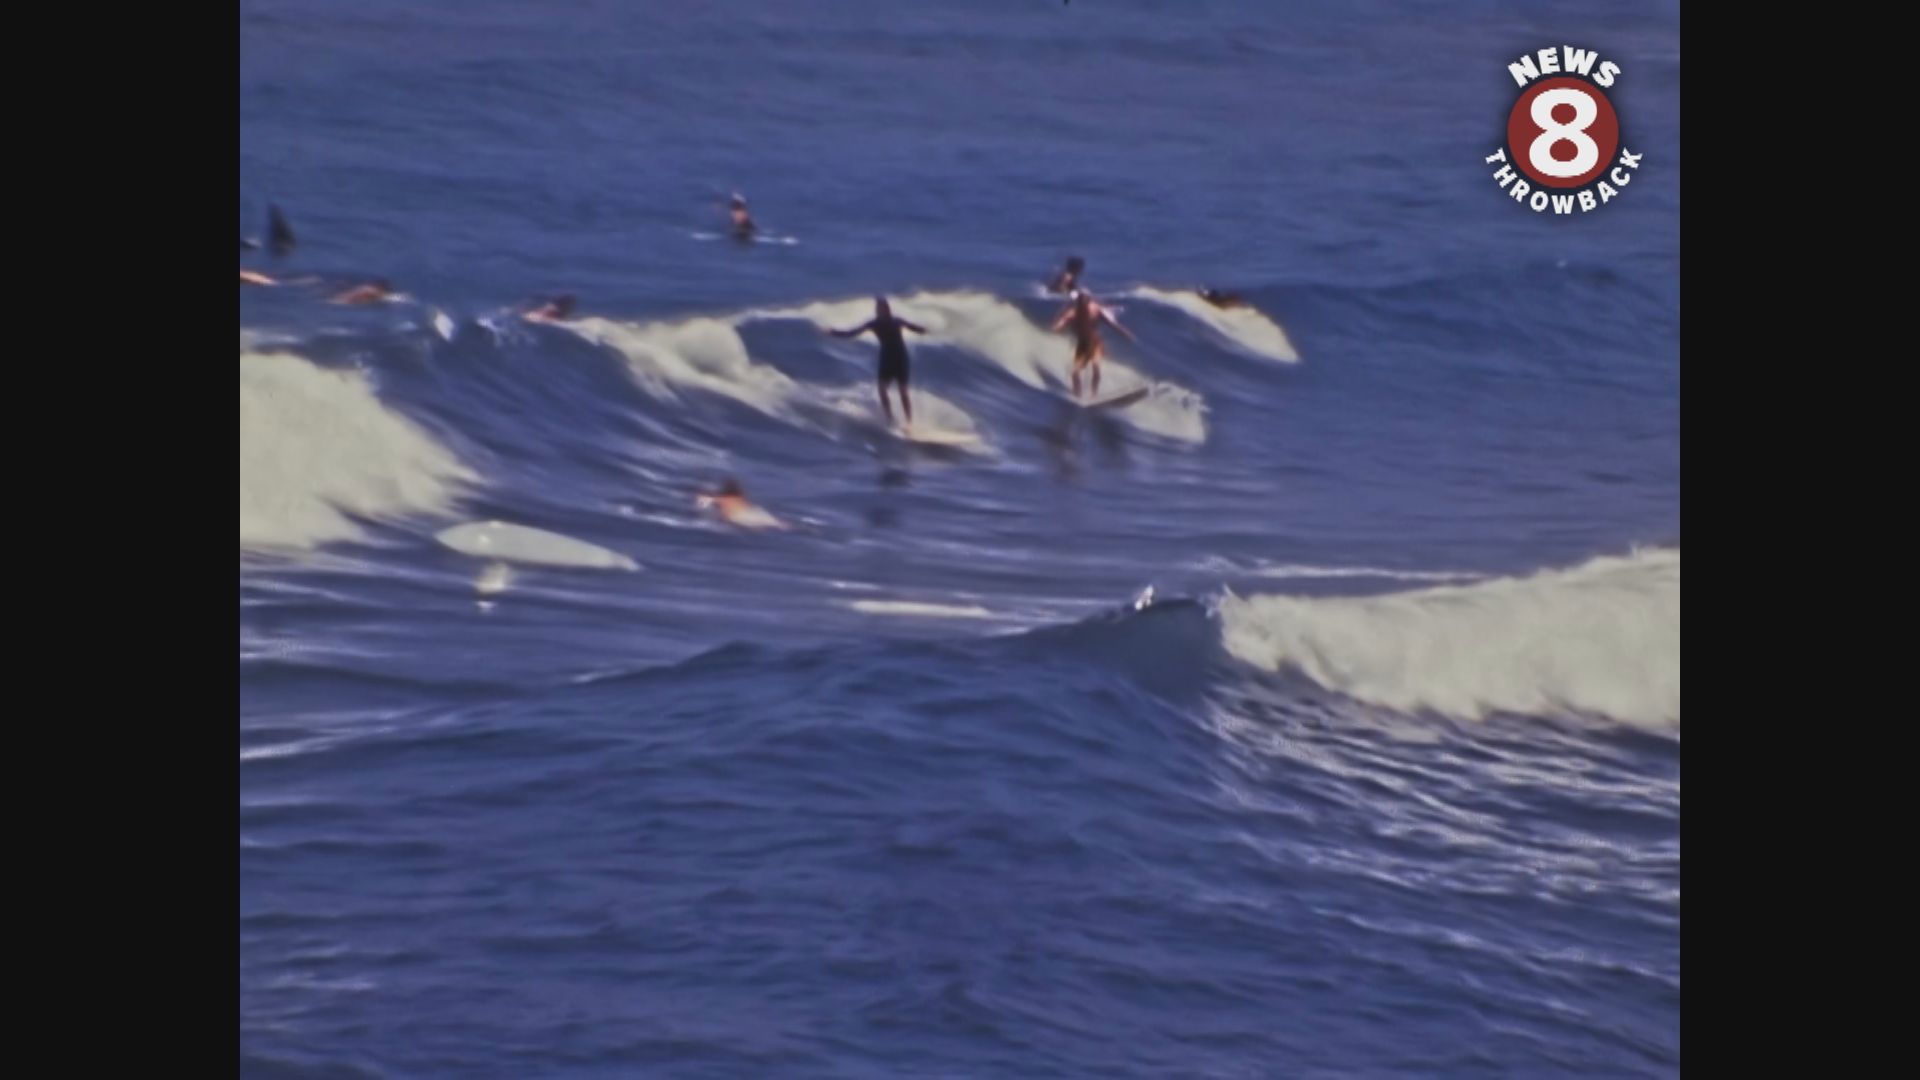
column 550, row 772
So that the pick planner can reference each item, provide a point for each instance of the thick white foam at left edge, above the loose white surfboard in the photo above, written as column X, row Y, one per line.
column 318, row 445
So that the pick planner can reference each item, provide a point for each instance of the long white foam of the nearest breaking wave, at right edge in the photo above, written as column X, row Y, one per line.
column 1600, row 639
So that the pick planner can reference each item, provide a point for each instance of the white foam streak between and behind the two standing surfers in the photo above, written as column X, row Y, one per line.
column 999, row 331
